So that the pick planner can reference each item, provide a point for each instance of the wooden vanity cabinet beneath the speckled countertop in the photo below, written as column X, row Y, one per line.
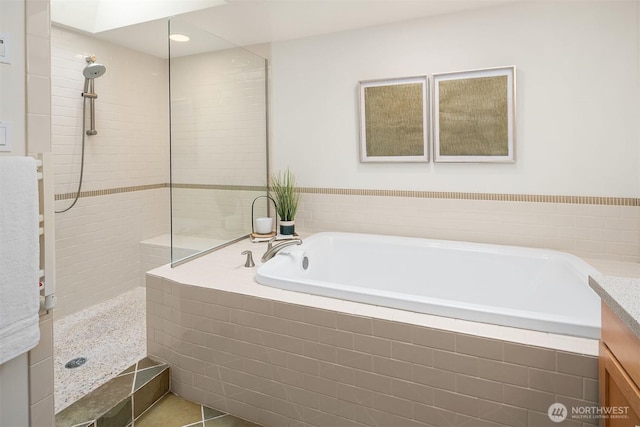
column 619, row 366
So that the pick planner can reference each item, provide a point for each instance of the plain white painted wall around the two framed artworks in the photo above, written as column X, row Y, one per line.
column 577, row 98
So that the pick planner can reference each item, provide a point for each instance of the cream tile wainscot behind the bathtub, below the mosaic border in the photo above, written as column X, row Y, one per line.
column 587, row 230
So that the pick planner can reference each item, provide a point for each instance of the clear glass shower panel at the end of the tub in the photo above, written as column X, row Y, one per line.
column 218, row 134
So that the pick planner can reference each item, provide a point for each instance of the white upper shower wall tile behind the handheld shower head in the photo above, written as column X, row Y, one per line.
column 131, row 147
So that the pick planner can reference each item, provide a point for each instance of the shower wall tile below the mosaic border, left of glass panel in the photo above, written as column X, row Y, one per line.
column 98, row 254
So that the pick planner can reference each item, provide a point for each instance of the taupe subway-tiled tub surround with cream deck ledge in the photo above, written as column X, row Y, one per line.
column 281, row 358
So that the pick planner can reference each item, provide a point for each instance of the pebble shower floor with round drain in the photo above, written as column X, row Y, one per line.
column 111, row 335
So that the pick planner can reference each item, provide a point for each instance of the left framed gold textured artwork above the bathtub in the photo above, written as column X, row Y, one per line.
column 394, row 120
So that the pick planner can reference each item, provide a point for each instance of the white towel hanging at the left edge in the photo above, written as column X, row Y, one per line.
column 19, row 257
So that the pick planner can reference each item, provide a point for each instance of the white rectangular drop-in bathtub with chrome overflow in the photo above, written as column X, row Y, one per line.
column 535, row 289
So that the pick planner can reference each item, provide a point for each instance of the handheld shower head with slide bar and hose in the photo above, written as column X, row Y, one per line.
column 92, row 71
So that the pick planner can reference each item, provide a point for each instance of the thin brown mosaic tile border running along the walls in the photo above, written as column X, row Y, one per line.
column 530, row 198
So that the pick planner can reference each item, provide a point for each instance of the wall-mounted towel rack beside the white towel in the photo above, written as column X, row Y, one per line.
column 44, row 162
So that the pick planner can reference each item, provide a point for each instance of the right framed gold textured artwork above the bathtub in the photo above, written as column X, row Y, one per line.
column 474, row 115
